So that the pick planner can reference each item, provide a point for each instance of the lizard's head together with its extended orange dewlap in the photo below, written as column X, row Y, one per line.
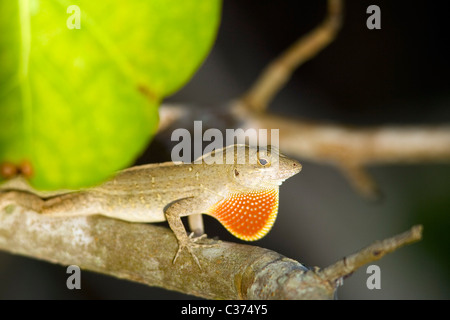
column 251, row 207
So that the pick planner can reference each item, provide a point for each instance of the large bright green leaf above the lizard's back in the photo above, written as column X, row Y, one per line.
column 79, row 104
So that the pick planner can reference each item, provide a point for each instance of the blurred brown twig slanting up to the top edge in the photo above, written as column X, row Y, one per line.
column 277, row 73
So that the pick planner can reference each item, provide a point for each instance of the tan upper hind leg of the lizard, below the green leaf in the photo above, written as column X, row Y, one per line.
column 71, row 204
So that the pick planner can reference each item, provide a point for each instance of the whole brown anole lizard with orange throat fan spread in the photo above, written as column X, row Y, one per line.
column 242, row 195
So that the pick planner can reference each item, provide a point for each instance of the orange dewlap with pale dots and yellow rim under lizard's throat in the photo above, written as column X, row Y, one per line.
column 248, row 216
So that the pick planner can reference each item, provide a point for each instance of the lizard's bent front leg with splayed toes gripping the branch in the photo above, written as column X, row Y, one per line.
column 182, row 208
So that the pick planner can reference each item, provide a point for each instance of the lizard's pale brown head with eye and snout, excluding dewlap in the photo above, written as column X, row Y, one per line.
column 262, row 167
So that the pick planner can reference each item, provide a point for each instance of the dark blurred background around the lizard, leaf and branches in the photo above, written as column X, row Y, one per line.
column 396, row 75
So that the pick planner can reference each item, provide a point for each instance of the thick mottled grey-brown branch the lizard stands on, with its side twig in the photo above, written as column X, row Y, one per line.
column 143, row 253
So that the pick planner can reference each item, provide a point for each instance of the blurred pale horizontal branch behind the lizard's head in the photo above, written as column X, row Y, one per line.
column 355, row 146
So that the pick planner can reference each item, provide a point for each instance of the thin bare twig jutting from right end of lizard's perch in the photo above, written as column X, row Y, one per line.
column 369, row 254
